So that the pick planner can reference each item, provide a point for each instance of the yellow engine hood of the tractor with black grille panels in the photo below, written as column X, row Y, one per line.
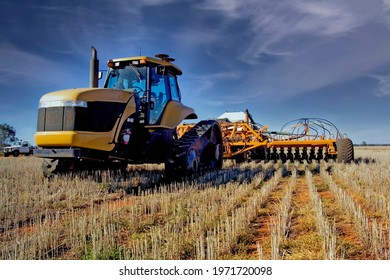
column 82, row 117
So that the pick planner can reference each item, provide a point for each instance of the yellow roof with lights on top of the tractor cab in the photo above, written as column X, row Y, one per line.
column 161, row 59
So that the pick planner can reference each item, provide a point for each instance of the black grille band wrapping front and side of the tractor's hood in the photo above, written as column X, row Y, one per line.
column 97, row 117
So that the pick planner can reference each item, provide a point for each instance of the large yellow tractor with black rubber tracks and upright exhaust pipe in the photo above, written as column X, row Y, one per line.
column 132, row 119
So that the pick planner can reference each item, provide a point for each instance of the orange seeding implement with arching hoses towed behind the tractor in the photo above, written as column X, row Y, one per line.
column 302, row 139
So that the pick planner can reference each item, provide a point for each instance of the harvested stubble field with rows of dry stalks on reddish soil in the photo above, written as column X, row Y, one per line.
column 264, row 210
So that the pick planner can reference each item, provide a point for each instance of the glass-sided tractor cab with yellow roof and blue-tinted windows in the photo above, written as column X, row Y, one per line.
column 152, row 81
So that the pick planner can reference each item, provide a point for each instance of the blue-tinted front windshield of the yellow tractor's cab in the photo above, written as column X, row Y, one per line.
column 128, row 77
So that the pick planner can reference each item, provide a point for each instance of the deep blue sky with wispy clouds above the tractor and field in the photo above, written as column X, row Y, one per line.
column 282, row 60
